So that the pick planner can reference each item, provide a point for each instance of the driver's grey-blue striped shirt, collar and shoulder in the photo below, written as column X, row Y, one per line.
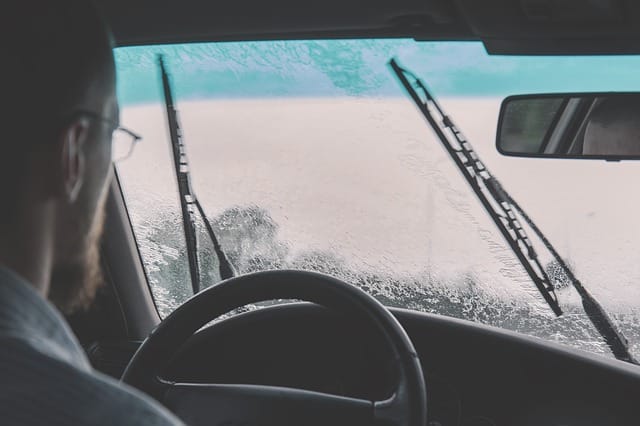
column 45, row 377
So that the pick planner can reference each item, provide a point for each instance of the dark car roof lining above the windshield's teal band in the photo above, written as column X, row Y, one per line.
column 505, row 26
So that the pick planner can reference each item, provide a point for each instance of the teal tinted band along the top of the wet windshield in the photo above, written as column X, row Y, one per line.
column 358, row 68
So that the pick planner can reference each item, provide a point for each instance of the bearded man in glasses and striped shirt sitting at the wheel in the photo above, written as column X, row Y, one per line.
column 58, row 112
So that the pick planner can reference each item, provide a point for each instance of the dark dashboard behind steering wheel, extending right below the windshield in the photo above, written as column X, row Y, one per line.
column 475, row 375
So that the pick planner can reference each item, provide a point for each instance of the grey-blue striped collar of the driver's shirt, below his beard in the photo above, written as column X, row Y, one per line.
column 26, row 315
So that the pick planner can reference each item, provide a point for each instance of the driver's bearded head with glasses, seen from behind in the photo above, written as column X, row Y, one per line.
column 59, row 112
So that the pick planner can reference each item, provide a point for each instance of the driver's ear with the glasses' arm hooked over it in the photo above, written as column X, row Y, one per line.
column 73, row 139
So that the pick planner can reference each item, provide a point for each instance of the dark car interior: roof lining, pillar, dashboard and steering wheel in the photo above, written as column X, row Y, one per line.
column 332, row 342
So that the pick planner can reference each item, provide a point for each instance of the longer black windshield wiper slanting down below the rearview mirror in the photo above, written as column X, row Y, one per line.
column 500, row 206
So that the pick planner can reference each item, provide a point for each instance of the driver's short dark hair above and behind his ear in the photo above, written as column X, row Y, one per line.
column 52, row 51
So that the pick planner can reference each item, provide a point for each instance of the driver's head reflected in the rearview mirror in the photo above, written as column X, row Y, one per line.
column 614, row 127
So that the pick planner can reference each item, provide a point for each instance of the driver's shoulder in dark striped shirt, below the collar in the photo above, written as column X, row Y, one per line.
column 38, row 389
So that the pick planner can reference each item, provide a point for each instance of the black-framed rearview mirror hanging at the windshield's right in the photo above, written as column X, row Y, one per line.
column 571, row 125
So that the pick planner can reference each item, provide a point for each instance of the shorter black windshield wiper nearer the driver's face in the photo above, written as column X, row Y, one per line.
column 188, row 201
